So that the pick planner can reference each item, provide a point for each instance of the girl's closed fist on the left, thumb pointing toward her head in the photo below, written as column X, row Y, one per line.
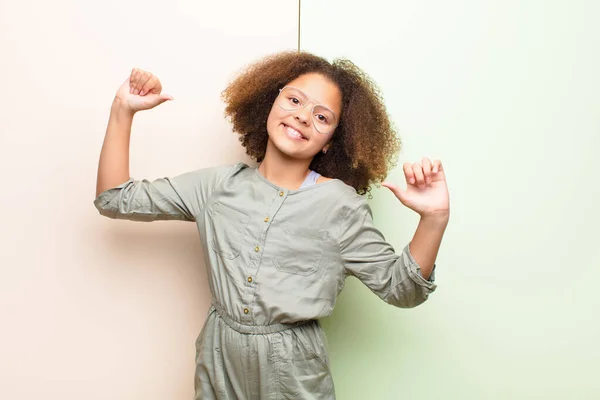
column 141, row 91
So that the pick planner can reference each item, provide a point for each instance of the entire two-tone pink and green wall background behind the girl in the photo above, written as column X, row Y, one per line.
column 504, row 92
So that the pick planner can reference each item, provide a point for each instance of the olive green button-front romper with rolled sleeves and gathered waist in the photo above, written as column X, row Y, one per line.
column 276, row 261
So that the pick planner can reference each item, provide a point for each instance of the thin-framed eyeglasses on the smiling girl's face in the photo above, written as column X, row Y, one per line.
column 292, row 99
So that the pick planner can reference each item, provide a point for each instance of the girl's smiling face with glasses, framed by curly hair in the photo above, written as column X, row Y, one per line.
column 291, row 127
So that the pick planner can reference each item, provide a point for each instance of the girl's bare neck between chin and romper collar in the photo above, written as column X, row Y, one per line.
column 282, row 170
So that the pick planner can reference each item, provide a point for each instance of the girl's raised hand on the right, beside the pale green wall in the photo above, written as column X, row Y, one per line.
column 426, row 192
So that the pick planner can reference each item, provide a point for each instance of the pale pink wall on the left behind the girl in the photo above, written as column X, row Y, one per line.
column 92, row 308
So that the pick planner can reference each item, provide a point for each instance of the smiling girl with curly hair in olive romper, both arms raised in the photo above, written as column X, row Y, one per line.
column 282, row 238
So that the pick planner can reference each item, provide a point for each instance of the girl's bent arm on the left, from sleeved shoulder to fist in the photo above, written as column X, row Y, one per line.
column 119, row 196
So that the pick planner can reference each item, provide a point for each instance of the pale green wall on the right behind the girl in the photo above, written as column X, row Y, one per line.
column 506, row 93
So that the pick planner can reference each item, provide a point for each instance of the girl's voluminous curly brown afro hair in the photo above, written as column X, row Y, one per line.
column 364, row 146
